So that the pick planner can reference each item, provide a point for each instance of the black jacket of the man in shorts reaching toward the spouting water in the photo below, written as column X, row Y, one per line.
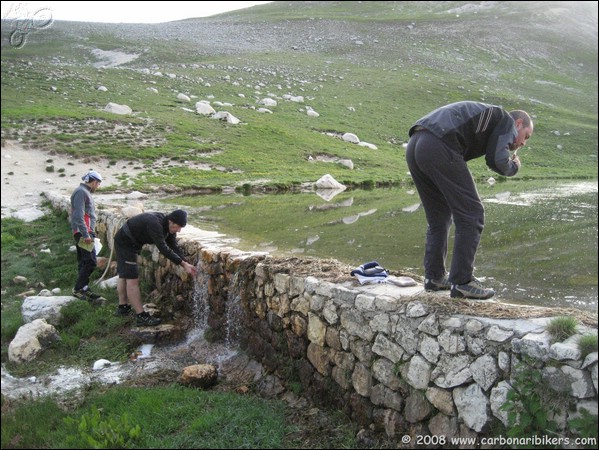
column 152, row 228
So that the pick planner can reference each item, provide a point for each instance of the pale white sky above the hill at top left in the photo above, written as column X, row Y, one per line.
column 126, row 12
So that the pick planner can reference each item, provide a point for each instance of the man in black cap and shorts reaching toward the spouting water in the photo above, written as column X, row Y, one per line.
column 146, row 228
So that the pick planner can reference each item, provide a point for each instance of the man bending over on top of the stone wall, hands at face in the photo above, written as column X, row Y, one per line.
column 440, row 144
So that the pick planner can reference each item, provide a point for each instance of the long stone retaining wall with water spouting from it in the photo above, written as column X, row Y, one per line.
column 380, row 353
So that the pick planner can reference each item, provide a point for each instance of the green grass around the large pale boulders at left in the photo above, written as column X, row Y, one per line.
column 87, row 333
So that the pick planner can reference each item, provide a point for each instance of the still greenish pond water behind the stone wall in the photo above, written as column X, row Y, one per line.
column 539, row 245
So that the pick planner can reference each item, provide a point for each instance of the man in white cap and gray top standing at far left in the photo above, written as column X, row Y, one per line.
column 83, row 225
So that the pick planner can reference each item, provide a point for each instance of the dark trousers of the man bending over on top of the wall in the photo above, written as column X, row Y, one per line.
column 448, row 192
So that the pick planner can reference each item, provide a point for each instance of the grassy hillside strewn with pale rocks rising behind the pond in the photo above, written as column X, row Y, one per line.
column 369, row 68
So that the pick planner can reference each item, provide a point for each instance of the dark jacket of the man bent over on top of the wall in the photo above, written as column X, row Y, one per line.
column 475, row 129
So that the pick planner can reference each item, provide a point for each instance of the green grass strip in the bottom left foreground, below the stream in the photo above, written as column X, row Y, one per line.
column 169, row 417
